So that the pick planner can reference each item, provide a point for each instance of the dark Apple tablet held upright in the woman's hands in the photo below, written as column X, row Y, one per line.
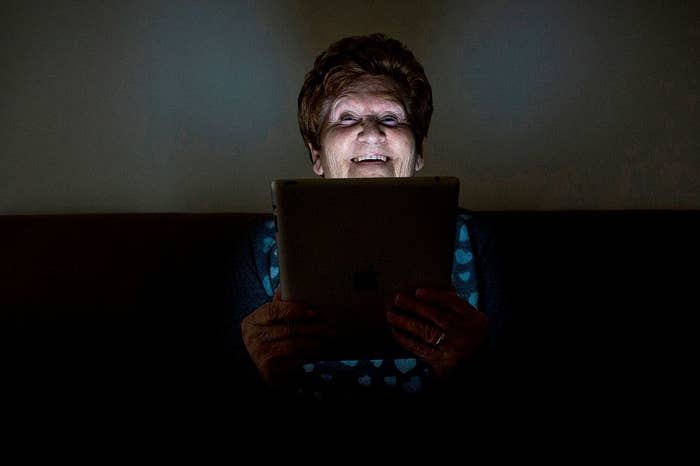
column 347, row 246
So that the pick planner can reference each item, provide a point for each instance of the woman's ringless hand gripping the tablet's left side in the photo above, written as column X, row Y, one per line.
column 280, row 336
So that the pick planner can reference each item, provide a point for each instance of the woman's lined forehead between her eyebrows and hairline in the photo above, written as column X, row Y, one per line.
column 369, row 91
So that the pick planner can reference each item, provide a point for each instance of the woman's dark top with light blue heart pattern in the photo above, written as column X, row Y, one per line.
column 408, row 375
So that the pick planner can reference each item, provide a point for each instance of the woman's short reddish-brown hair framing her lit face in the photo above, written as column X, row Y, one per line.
column 352, row 57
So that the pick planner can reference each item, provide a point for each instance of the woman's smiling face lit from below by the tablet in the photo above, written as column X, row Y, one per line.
column 366, row 134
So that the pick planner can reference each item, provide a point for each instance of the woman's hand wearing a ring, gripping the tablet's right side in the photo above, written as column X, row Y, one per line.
column 437, row 326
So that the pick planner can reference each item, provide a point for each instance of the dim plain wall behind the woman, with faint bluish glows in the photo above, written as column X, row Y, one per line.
column 177, row 106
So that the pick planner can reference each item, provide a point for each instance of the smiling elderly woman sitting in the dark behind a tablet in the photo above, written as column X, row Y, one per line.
column 364, row 111
